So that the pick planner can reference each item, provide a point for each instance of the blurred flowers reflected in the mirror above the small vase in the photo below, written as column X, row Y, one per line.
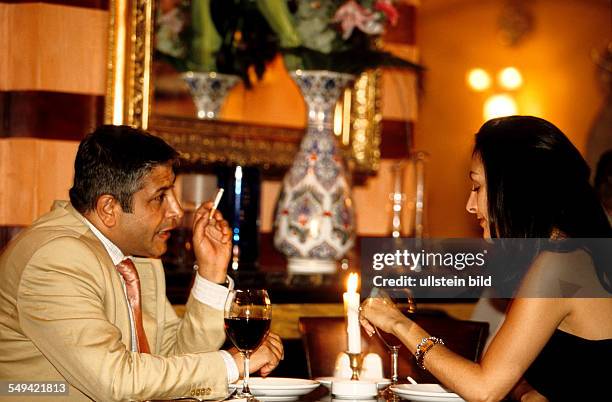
column 225, row 36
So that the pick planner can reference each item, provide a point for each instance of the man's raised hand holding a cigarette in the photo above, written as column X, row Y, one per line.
column 211, row 243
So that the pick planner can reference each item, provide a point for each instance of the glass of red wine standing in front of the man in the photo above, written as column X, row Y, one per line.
column 247, row 317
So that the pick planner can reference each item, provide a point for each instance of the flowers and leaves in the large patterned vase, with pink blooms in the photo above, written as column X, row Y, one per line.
column 335, row 35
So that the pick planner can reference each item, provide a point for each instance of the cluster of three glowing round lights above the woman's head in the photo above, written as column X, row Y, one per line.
column 497, row 104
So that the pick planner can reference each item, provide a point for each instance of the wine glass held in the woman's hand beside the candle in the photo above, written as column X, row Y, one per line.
column 402, row 299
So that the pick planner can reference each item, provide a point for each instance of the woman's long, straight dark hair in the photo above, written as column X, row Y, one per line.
column 538, row 185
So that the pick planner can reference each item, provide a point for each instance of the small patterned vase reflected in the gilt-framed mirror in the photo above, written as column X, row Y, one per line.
column 208, row 90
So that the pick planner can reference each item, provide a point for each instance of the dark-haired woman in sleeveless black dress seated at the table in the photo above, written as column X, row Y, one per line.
column 529, row 181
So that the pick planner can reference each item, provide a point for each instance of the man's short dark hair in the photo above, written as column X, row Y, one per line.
column 114, row 160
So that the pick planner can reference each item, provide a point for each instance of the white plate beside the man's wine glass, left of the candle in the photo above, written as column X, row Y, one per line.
column 273, row 388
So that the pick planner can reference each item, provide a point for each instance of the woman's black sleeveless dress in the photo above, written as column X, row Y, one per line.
column 571, row 368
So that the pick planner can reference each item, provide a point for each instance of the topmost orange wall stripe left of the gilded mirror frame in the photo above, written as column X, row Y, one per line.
column 53, row 48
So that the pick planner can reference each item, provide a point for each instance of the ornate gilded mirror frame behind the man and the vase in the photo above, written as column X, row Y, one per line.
column 129, row 100
